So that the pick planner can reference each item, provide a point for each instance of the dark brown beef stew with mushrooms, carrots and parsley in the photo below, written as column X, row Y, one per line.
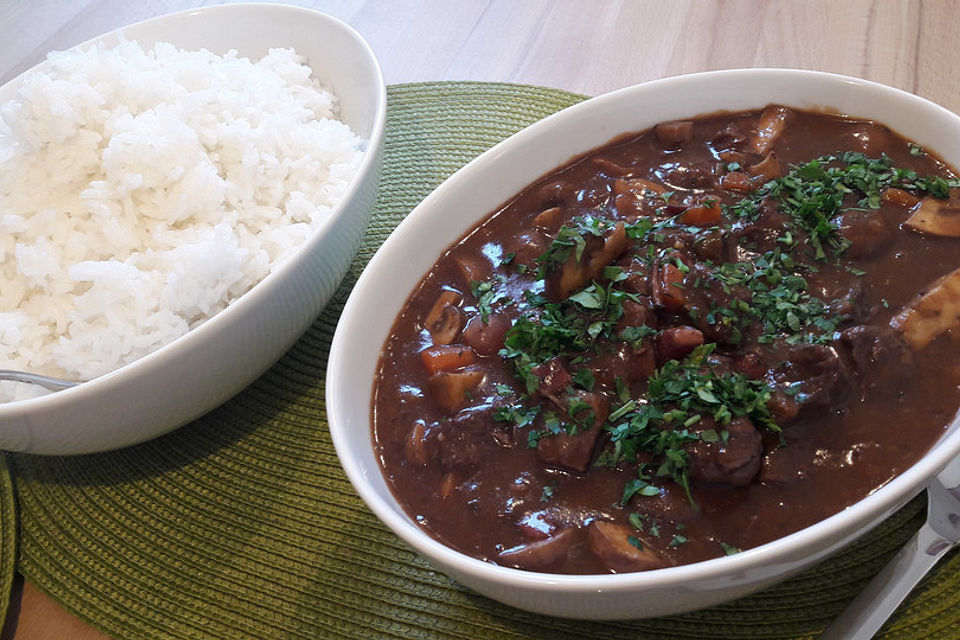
column 689, row 342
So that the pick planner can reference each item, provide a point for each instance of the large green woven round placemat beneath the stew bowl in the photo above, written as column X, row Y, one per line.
column 242, row 524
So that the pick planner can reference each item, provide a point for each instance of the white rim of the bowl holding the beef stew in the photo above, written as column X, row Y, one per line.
column 897, row 491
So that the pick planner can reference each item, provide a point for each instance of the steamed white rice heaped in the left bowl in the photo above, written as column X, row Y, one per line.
column 143, row 191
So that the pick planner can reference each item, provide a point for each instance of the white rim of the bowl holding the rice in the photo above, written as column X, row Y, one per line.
column 142, row 366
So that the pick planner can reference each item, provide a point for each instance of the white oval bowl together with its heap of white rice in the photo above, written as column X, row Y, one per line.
column 179, row 199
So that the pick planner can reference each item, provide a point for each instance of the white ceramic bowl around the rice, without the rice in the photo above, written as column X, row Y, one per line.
column 195, row 373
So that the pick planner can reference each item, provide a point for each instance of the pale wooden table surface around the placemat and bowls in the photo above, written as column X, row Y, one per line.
column 587, row 46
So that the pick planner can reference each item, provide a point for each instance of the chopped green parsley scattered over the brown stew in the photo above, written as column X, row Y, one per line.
column 767, row 297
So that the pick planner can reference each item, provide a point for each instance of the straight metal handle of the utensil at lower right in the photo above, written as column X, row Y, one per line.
column 864, row 616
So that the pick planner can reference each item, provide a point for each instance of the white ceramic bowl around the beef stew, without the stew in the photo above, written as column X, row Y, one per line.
column 493, row 178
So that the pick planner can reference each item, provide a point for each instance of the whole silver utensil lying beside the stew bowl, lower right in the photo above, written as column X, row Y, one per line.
column 870, row 609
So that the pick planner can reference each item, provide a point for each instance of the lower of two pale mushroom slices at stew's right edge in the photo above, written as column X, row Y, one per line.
column 932, row 313
